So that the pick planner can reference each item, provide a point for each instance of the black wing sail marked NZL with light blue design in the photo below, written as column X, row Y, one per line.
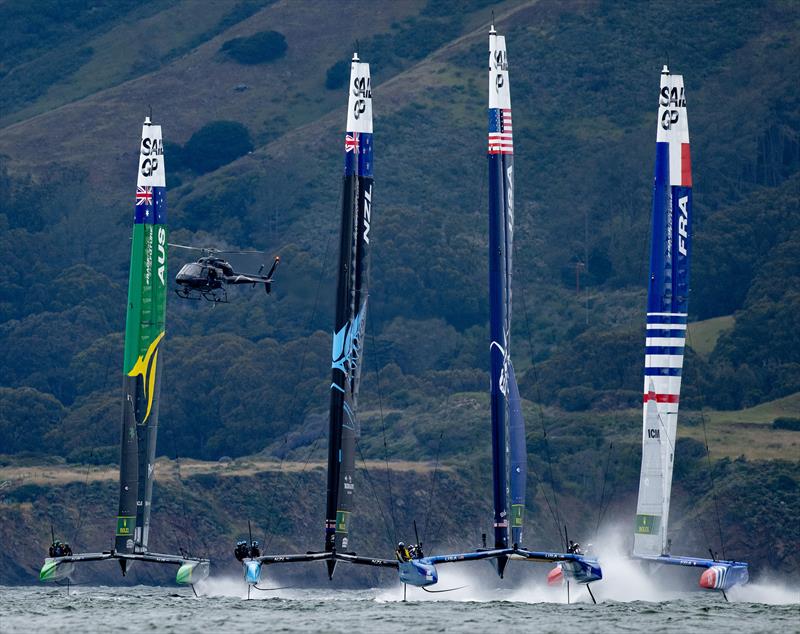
column 351, row 309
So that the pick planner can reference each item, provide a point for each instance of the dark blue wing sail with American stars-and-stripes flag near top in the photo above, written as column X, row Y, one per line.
column 508, row 433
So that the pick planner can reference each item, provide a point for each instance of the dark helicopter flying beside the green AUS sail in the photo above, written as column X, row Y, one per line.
column 209, row 276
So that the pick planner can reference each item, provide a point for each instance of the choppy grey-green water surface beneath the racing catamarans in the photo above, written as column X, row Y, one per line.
column 223, row 607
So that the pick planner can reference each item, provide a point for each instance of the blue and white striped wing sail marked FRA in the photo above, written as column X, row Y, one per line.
column 667, row 306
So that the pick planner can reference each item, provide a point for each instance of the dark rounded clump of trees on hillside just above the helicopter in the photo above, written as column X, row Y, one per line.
column 216, row 144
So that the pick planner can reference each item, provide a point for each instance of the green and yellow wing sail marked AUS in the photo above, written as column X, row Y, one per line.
column 144, row 333
